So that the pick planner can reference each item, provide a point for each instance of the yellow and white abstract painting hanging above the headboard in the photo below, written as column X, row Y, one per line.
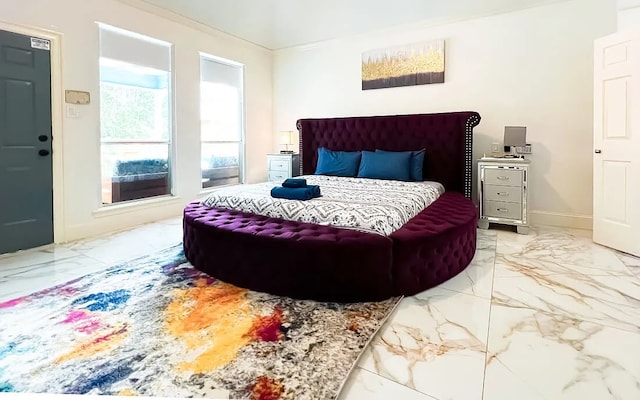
column 415, row 64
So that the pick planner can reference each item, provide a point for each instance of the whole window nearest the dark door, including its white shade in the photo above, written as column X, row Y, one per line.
column 135, row 116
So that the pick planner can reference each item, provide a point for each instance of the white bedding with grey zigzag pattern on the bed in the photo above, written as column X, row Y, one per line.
column 370, row 205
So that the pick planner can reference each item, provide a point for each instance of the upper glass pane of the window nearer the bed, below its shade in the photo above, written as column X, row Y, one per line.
column 220, row 112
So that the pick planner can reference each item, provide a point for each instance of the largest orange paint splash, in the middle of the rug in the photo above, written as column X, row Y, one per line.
column 212, row 320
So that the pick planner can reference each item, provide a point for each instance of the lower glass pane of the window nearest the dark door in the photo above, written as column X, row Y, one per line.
column 134, row 171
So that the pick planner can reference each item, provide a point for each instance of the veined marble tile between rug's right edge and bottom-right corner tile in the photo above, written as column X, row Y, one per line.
column 430, row 335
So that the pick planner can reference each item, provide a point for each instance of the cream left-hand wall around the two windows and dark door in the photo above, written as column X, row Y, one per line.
column 78, row 183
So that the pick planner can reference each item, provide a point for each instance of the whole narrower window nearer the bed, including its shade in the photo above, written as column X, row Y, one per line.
column 221, row 121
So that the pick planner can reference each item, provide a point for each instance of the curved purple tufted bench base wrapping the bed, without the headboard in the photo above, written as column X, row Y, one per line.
column 325, row 263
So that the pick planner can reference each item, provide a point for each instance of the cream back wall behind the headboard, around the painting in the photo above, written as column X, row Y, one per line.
column 531, row 67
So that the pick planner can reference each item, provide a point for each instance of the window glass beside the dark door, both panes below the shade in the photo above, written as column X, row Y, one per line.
column 135, row 131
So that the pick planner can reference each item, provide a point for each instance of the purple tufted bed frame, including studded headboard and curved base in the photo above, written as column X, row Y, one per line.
column 305, row 260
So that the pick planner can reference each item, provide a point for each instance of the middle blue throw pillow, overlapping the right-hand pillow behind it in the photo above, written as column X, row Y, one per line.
column 385, row 165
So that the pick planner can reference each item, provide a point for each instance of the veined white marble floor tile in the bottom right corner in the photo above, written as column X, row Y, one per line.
column 551, row 356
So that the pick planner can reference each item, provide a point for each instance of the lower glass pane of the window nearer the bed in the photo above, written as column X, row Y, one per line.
column 220, row 164
